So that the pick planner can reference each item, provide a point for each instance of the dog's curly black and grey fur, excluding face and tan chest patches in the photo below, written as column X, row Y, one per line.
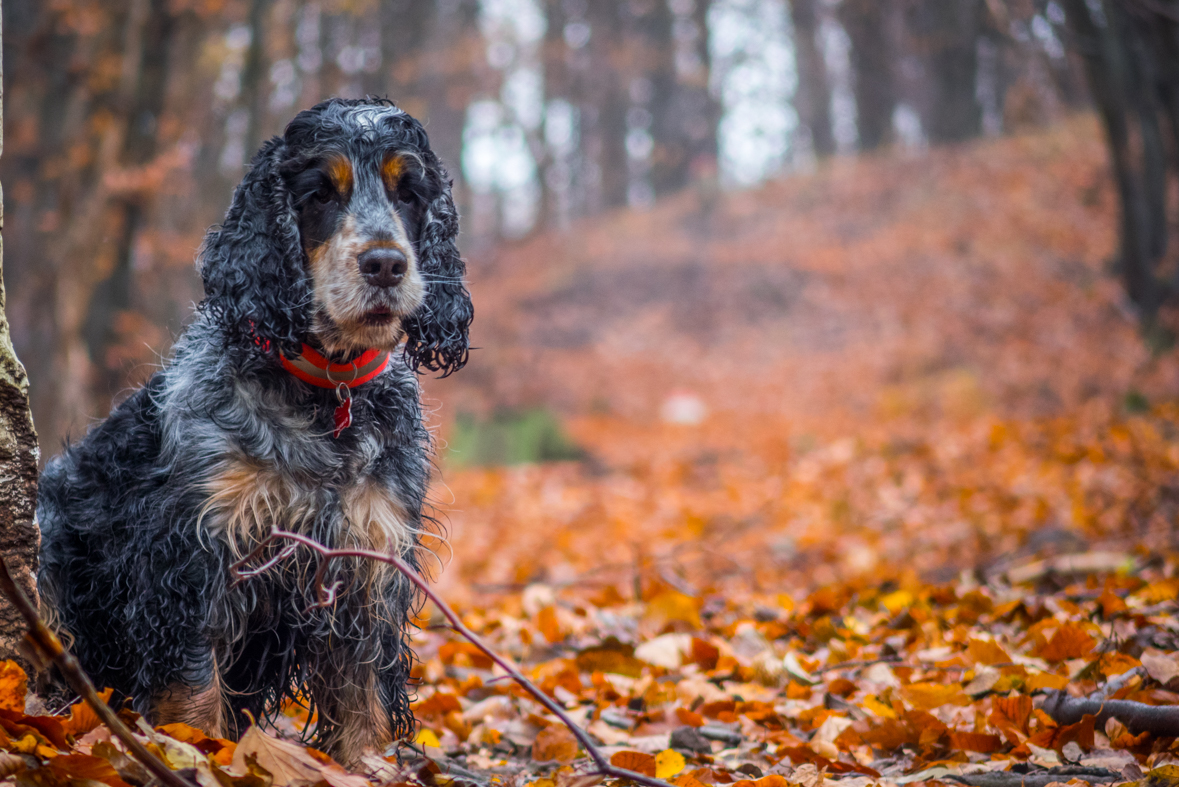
column 133, row 561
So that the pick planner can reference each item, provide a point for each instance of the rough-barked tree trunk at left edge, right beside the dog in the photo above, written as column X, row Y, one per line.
column 19, row 537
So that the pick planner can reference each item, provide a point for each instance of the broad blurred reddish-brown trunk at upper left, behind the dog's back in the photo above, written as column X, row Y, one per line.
column 68, row 220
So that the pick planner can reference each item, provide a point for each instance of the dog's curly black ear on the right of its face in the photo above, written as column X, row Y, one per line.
column 437, row 334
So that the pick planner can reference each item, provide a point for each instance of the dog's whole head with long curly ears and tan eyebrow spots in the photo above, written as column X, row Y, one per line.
column 344, row 235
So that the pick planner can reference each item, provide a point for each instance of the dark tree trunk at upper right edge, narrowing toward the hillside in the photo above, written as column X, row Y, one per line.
column 1131, row 54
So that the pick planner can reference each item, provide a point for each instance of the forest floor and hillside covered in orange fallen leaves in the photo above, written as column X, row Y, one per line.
column 878, row 485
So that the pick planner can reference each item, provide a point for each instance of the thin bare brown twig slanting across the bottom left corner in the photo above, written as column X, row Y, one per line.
column 49, row 644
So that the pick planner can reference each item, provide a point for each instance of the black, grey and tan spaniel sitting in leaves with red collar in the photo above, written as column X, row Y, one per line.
column 286, row 405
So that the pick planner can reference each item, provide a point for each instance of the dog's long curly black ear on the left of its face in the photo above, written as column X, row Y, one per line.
column 253, row 263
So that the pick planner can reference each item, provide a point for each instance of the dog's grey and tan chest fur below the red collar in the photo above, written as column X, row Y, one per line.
column 266, row 462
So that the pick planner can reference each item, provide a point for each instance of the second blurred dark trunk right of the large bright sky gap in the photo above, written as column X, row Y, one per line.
column 873, row 52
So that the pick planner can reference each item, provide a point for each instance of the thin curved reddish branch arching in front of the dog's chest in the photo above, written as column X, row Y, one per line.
column 604, row 769
